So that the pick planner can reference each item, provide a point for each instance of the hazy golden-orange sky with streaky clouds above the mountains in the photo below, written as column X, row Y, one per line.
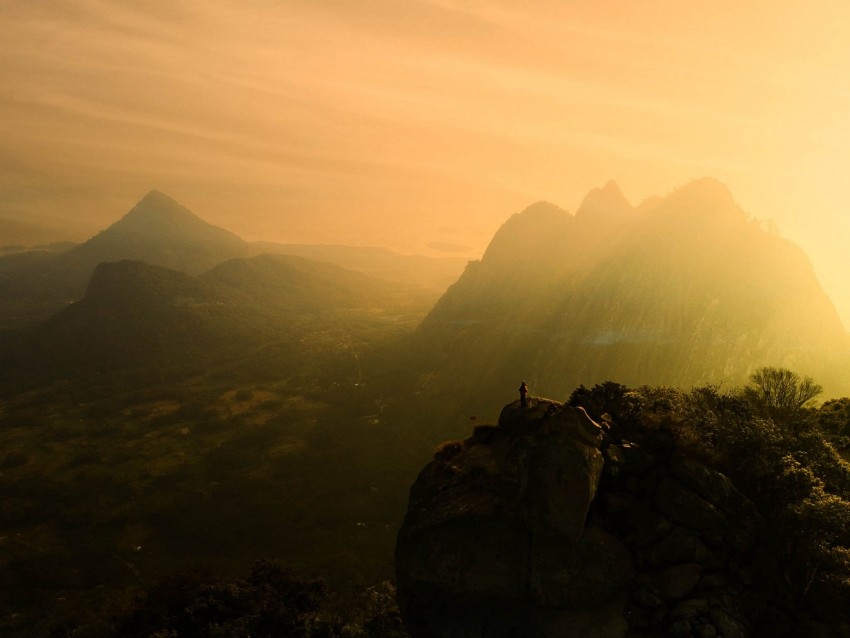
column 422, row 125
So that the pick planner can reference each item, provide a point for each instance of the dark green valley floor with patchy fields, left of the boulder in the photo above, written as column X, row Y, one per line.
column 106, row 489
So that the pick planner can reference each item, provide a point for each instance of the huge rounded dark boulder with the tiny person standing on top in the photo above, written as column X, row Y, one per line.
column 501, row 526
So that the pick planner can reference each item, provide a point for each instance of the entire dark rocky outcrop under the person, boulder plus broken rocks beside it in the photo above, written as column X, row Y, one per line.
column 543, row 526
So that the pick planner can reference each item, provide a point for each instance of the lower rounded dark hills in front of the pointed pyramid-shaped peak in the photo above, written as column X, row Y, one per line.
column 137, row 315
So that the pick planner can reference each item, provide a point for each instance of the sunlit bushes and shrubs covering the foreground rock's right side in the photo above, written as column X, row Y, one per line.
column 778, row 453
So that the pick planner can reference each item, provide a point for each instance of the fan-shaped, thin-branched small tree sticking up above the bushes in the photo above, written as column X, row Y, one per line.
column 779, row 392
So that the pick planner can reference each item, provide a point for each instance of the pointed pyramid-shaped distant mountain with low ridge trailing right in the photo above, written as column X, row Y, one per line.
column 159, row 231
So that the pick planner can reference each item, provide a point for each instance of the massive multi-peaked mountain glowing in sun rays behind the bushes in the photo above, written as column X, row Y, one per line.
column 683, row 290
